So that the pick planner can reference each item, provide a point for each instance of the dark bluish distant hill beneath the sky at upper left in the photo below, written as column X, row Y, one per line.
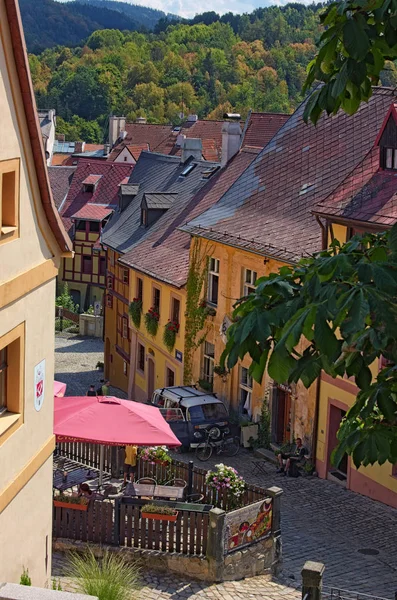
column 47, row 23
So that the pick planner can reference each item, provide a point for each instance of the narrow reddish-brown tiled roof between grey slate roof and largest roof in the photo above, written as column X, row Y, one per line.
column 164, row 252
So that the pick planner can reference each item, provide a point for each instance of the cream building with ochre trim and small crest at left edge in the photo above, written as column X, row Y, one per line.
column 32, row 241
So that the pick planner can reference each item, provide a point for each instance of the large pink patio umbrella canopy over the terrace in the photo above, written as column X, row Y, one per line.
column 111, row 421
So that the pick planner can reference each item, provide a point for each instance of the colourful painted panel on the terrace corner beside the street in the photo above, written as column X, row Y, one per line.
column 248, row 524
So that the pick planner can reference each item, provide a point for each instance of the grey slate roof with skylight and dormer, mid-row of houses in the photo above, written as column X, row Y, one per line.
column 155, row 173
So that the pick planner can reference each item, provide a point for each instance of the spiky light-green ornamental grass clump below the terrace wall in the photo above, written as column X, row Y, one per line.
column 109, row 578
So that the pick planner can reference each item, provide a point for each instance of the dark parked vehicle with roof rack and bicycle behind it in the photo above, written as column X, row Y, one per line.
column 190, row 412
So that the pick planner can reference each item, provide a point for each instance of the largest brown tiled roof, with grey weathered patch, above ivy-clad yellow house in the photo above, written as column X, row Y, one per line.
column 269, row 209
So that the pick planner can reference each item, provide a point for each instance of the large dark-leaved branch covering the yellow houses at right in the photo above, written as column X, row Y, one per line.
column 335, row 311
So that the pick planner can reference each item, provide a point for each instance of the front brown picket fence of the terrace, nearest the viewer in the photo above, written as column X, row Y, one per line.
column 121, row 524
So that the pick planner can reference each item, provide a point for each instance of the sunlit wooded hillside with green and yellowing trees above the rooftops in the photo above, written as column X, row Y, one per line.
column 233, row 63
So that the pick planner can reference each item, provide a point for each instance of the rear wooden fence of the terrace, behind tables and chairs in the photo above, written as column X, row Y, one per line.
column 88, row 454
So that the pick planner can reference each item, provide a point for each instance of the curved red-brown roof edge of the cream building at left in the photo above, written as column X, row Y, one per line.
column 33, row 126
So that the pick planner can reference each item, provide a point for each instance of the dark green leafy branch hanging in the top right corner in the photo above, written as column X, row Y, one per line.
column 359, row 36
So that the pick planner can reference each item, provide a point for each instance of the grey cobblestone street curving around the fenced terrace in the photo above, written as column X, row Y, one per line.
column 354, row 536
